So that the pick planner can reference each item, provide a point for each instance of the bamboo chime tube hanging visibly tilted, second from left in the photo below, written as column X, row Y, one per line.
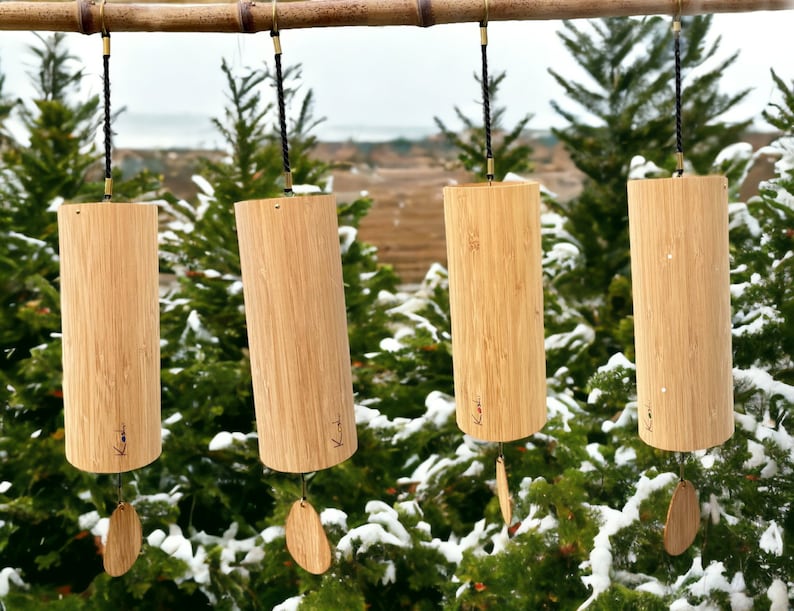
column 297, row 331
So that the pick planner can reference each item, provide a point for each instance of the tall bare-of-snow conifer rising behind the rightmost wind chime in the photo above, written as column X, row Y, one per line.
column 625, row 108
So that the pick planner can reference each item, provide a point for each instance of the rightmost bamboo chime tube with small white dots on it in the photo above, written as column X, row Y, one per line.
column 682, row 311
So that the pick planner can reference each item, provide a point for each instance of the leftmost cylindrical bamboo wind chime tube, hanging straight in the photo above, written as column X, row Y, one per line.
column 111, row 335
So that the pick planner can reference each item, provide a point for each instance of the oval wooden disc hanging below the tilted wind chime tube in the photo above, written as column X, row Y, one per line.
column 307, row 542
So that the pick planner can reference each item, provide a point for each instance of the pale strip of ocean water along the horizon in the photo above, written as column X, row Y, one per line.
column 194, row 131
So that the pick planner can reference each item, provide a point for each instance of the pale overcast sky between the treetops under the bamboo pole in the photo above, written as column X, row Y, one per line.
column 395, row 77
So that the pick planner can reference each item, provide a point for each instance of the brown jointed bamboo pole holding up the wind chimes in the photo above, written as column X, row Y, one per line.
column 84, row 15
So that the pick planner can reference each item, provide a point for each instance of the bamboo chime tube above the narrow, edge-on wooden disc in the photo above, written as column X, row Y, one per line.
column 496, row 305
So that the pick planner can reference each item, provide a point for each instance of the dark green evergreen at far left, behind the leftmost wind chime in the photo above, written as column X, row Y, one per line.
column 44, row 542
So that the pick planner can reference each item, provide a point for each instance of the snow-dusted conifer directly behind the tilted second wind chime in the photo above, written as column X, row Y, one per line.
column 224, row 514
